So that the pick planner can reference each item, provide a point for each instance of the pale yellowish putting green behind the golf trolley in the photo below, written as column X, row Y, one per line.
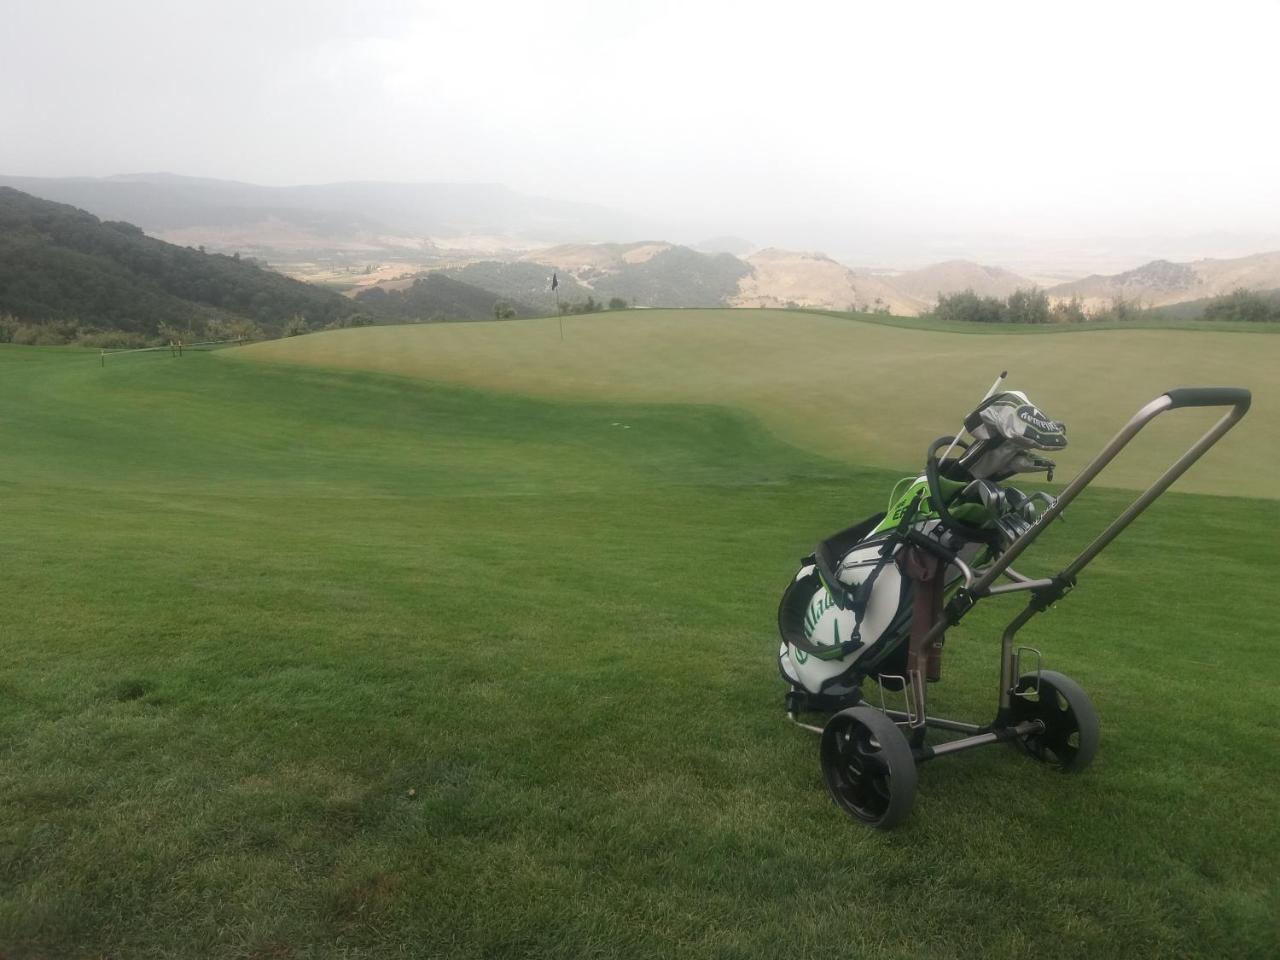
column 849, row 391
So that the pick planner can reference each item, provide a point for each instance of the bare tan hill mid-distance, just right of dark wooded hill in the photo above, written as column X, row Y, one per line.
column 783, row 278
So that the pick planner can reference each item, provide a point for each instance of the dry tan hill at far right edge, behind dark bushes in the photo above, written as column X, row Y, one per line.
column 1162, row 282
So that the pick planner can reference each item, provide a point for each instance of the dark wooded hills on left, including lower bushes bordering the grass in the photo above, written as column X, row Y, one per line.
column 68, row 276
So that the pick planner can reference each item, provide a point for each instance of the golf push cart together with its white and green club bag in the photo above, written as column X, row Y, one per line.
column 875, row 602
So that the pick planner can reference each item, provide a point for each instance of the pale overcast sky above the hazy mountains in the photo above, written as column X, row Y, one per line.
column 1034, row 118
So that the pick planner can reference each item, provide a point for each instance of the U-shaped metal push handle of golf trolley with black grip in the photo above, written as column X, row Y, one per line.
column 1236, row 397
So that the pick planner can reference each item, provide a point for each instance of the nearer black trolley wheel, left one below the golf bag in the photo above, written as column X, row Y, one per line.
column 868, row 767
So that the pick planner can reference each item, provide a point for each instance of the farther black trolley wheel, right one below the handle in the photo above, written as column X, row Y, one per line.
column 1072, row 730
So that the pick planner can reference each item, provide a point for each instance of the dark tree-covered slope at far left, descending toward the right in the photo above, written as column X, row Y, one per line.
column 62, row 264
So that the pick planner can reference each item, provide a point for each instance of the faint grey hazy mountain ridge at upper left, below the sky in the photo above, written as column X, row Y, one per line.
column 346, row 217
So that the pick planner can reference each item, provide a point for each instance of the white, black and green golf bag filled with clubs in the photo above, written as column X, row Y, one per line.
column 866, row 591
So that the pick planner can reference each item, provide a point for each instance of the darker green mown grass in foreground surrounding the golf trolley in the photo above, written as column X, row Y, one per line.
column 316, row 664
